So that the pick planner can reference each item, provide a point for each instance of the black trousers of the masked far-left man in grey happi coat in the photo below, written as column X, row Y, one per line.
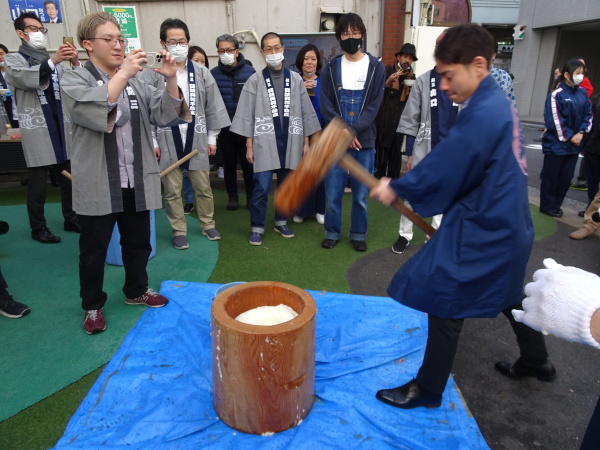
column 36, row 194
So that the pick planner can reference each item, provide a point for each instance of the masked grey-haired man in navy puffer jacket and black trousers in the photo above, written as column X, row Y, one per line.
column 231, row 75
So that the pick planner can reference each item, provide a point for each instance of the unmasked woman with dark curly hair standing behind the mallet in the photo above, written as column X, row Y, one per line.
column 309, row 64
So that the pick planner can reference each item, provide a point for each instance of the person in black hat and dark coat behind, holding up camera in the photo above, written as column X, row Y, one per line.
column 397, row 87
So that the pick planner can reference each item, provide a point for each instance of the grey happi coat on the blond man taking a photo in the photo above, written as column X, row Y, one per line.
column 86, row 103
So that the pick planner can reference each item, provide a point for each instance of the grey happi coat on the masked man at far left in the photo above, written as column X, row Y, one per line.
column 24, row 81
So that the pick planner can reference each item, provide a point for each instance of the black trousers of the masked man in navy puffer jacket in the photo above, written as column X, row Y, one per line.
column 233, row 147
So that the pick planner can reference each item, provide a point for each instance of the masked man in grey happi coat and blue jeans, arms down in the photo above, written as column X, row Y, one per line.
column 276, row 116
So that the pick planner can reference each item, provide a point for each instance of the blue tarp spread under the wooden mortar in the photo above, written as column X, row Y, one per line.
column 156, row 391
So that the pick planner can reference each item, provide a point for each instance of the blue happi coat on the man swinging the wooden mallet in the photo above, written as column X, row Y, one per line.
column 474, row 265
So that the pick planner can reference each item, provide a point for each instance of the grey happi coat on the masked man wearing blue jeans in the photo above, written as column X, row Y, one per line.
column 253, row 118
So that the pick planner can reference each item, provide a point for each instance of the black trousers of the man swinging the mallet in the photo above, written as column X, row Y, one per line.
column 442, row 341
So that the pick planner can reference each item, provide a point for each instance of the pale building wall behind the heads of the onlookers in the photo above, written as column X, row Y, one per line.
column 208, row 19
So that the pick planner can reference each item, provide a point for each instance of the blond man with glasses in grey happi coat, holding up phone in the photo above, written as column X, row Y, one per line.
column 115, row 173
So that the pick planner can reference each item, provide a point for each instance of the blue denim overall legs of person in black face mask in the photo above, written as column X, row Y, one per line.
column 335, row 182
